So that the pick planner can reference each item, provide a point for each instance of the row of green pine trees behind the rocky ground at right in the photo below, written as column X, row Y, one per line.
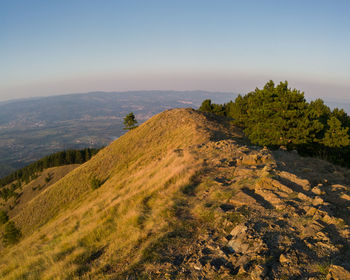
column 277, row 115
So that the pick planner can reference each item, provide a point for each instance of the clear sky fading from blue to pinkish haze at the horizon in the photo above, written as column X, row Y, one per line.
column 64, row 46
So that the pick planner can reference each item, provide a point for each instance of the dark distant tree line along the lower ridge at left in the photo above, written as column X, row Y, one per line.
column 30, row 172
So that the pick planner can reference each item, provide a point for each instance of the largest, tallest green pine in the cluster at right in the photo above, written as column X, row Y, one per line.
column 277, row 115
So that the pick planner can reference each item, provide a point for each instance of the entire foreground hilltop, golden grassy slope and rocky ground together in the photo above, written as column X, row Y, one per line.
column 185, row 196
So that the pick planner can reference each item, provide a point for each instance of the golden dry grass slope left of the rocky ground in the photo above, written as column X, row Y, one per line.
column 68, row 226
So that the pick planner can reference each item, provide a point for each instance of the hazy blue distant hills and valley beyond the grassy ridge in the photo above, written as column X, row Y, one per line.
column 35, row 127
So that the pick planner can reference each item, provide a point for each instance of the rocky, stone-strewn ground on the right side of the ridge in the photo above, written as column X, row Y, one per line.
column 281, row 217
